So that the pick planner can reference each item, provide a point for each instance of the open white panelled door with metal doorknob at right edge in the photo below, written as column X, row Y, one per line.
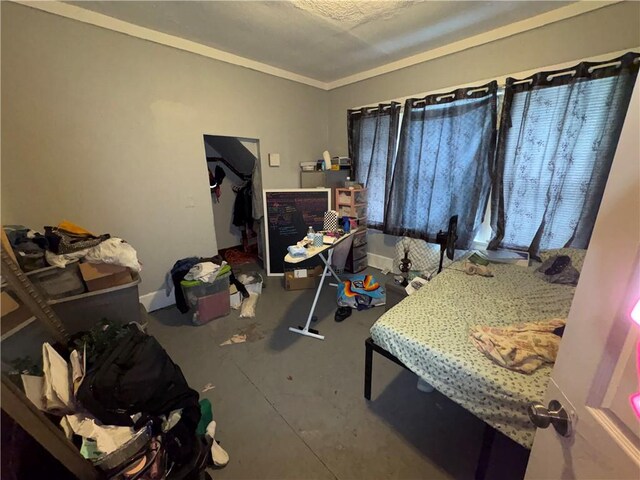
column 589, row 428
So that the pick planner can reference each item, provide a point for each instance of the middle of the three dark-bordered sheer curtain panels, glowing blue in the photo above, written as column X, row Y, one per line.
column 444, row 164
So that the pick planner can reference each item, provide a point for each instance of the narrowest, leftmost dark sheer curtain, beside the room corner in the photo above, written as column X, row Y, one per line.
column 373, row 138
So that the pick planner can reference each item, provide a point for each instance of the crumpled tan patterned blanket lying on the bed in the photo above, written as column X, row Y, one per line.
column 523, row 347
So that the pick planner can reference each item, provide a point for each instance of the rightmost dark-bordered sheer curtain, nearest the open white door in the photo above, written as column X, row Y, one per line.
column 557, row 140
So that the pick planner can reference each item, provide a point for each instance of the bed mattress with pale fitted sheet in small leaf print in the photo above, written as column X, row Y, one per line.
column 429, row 333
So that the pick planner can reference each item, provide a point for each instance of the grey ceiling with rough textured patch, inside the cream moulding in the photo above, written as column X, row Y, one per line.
column 323, row 40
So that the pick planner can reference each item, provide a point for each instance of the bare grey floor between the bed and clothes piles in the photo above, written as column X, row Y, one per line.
column 292, row 407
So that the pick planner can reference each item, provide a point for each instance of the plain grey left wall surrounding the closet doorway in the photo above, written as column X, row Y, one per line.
column 106, row 130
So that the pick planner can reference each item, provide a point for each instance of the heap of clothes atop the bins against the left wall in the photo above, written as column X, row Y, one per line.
column 65, row 243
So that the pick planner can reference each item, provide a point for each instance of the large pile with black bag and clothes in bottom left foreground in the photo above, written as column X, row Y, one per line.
column 125, row 404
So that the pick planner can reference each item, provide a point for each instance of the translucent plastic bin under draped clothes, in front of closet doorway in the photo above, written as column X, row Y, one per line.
column 209, row 300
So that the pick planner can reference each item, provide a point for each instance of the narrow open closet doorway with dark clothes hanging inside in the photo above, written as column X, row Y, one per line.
column 235, row 181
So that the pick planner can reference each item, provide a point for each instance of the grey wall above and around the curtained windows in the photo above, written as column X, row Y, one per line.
column 608, row 29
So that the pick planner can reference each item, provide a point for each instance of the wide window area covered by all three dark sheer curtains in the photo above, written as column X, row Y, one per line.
column 556, row 140
